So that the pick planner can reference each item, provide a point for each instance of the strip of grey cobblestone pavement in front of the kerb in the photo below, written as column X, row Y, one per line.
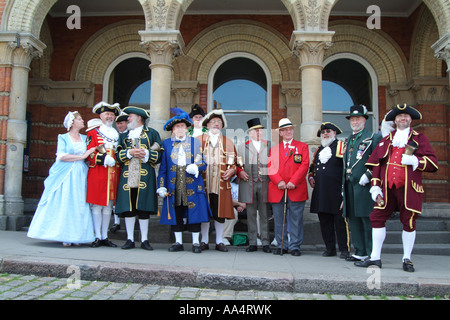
column 30, row 287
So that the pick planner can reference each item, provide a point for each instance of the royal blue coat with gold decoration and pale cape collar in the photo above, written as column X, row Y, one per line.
column 198, row 209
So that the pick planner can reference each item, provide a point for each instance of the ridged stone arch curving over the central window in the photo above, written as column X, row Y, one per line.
column 239, row 36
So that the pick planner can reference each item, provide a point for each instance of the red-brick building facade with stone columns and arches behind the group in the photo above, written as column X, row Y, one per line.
column 56, row 57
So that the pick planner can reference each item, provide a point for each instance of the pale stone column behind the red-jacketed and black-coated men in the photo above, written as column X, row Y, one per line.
column 310, row 48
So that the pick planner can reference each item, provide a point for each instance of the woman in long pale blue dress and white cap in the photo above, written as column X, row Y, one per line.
column 62, row 213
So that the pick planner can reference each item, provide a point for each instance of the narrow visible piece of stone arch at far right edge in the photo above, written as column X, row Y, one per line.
column 423, row 61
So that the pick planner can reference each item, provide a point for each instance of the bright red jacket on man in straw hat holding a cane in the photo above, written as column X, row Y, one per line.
column 292, row 167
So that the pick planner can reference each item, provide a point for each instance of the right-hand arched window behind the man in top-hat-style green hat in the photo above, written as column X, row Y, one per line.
column 347, row 81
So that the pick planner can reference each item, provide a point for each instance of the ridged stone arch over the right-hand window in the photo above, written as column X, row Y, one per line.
column 375, row 46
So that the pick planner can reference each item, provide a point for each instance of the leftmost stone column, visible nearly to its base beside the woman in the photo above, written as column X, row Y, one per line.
column 24, row 48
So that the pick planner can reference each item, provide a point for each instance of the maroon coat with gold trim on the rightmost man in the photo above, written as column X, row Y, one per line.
column 379, row 162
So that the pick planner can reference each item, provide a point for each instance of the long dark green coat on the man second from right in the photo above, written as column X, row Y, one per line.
column 358, row 200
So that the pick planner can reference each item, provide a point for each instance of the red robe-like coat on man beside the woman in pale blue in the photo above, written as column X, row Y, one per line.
column 101, row 182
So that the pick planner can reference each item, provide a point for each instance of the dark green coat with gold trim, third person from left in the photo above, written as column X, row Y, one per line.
column 146, row 199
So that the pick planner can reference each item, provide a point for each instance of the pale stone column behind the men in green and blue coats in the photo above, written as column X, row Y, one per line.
column 161, row 48
